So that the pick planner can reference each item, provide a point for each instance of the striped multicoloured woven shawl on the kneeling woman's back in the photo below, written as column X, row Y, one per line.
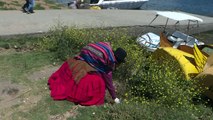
column 99, row 55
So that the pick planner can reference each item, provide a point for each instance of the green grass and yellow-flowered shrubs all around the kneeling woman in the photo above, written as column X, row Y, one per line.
column 149, row 90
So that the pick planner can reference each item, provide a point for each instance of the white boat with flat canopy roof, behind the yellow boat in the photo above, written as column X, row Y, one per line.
column 151, row 41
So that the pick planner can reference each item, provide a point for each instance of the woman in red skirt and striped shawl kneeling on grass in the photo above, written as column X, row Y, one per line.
column 84, row 78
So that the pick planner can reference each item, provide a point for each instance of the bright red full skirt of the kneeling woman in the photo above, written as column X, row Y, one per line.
column 89, row 91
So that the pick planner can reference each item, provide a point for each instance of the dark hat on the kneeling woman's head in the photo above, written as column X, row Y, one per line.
column 120, row 55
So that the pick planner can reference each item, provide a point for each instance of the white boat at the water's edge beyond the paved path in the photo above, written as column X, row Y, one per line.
column 118, row 4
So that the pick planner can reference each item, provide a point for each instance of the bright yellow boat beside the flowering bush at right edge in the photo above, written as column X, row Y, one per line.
column 195, row 62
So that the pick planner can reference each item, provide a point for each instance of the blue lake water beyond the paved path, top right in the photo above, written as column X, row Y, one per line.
column 201, row 7
